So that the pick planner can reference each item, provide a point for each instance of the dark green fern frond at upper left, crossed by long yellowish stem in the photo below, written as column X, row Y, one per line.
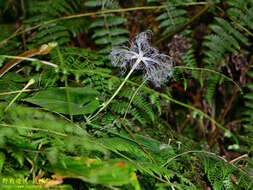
column 41, row 11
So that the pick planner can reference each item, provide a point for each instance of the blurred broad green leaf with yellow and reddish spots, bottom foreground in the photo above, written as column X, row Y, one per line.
column 112, row 172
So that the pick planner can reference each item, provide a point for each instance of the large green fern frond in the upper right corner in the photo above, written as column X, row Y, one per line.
column 227, row 36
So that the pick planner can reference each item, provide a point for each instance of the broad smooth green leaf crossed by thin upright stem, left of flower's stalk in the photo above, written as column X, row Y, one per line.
column 82, row 100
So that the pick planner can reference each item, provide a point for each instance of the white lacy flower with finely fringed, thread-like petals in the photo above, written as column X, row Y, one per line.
column 156, row 66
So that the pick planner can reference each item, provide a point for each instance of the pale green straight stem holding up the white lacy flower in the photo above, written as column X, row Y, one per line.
column 105, row 104
